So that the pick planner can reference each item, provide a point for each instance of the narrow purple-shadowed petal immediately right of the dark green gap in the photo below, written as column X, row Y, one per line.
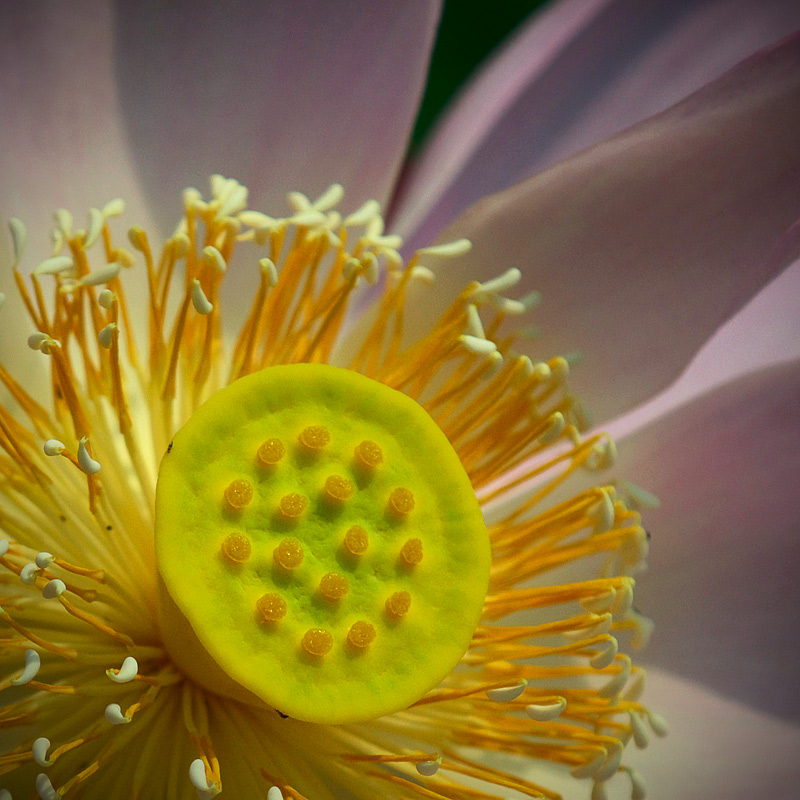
column 573, row 76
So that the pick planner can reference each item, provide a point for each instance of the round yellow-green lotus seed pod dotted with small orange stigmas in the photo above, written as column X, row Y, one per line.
column 321, row 537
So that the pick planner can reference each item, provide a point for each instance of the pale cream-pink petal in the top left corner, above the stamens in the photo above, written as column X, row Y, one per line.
column 63, row 140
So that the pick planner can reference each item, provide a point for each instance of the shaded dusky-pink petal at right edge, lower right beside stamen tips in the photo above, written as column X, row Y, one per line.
column 723, row 581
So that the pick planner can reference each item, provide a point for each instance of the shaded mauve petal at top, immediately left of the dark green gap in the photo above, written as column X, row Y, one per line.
column 289, row 94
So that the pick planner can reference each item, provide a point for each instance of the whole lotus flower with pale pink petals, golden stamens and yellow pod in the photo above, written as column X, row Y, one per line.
column 644, row 246
